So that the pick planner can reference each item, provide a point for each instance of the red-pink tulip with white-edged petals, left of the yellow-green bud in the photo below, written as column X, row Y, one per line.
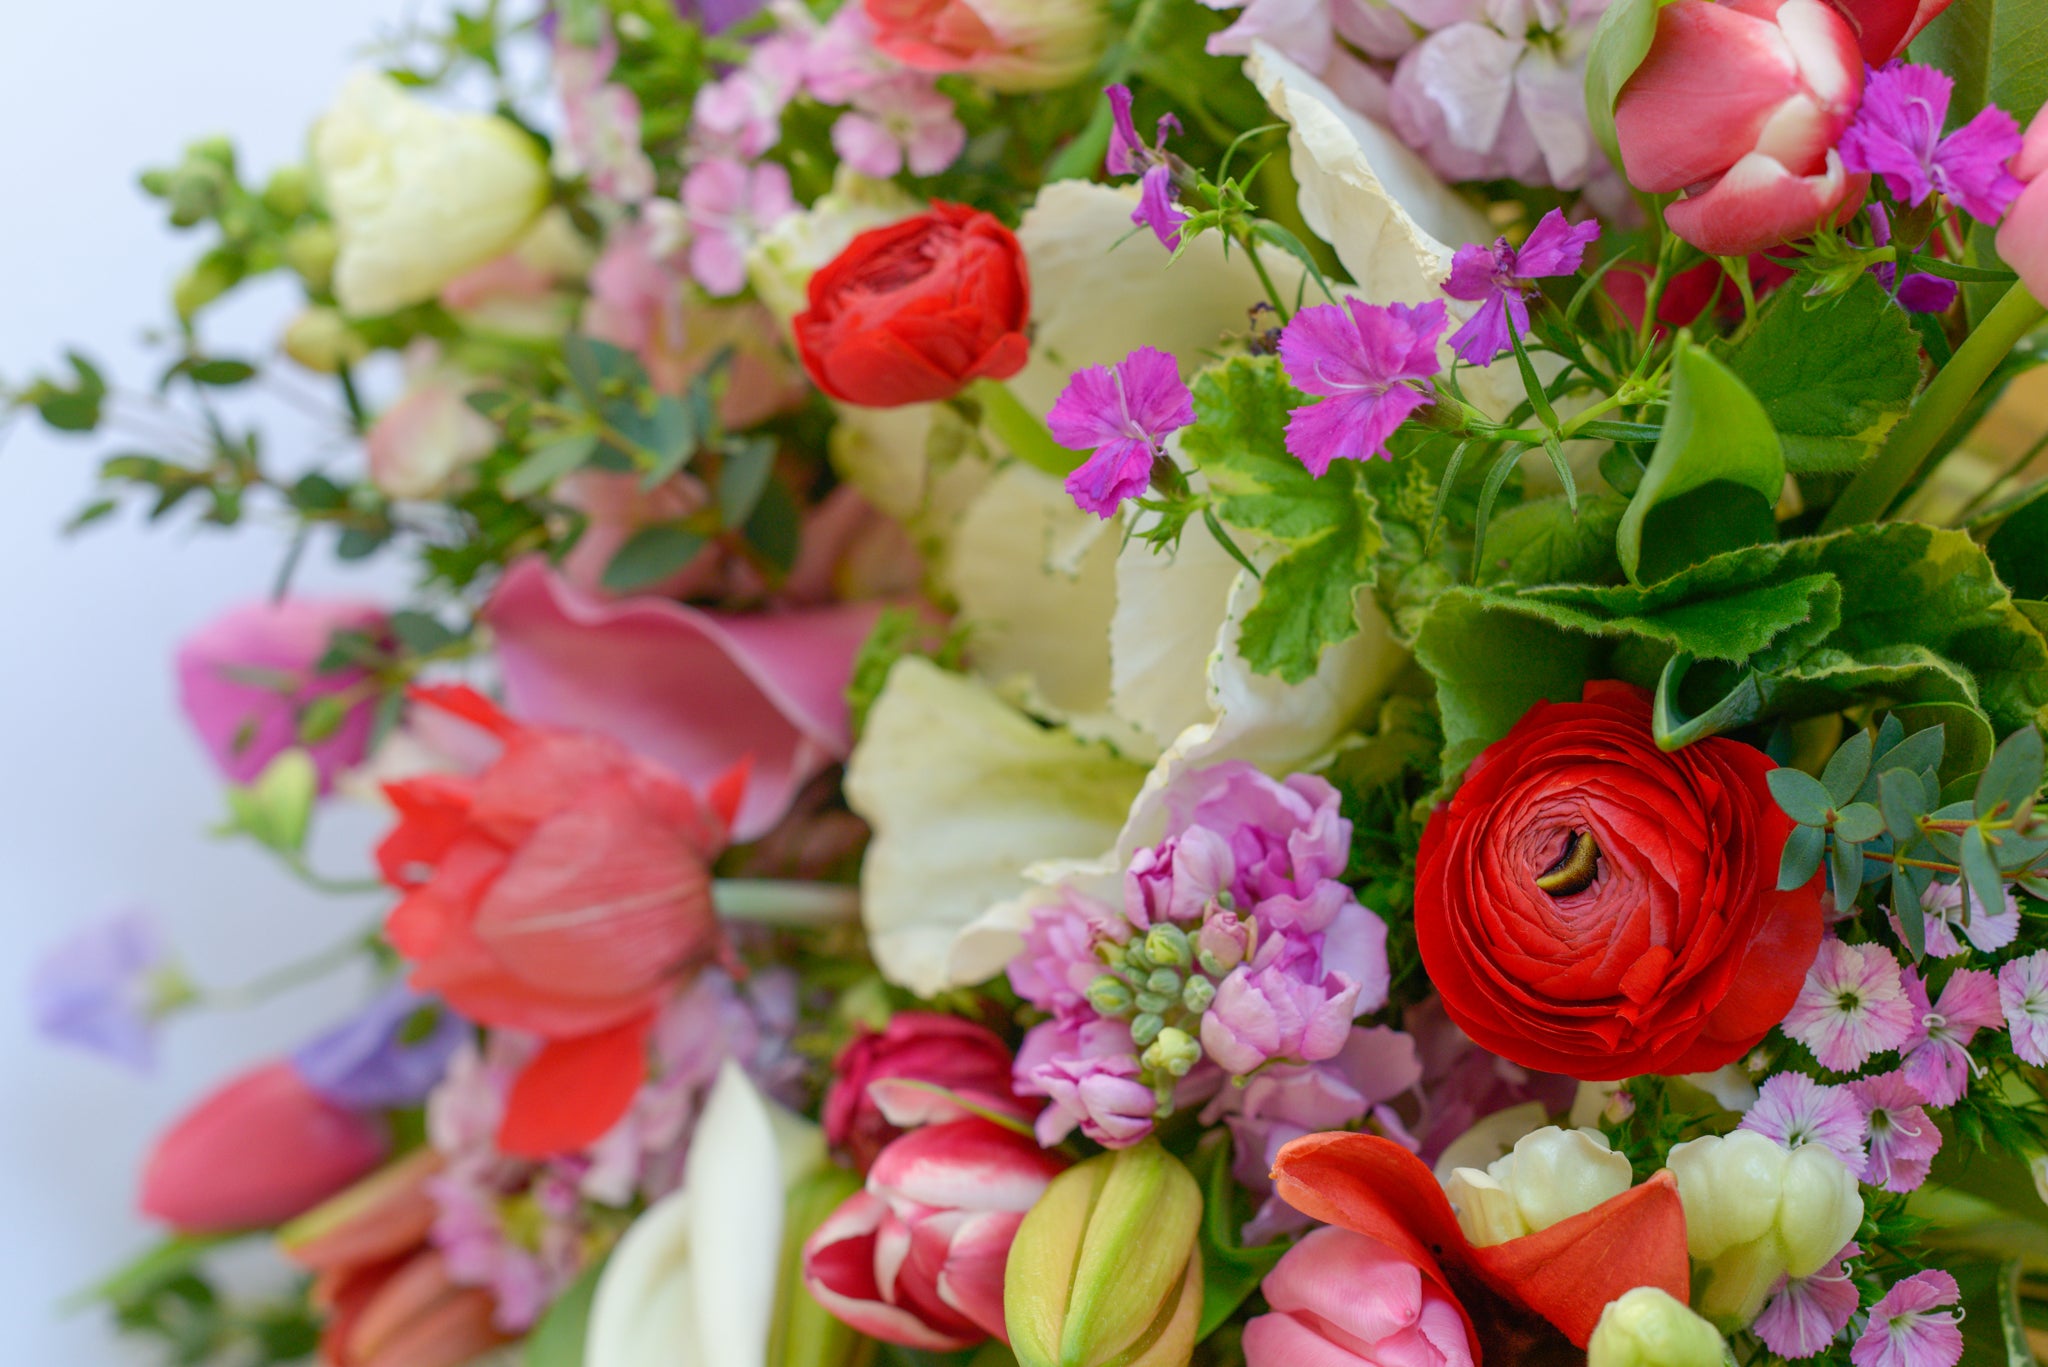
column 919, row 1255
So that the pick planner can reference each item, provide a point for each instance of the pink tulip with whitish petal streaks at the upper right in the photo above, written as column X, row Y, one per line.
column 1742, row 106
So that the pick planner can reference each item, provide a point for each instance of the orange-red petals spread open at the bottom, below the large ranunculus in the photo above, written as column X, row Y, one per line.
column 1519, row 1300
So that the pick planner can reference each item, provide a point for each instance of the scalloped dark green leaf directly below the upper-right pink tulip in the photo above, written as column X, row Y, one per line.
column 1832, row 376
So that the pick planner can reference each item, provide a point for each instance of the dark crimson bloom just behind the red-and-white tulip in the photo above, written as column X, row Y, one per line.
column 896, row 1079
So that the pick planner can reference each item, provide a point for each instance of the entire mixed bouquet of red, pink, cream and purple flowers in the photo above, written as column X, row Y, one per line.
column 1125, row 683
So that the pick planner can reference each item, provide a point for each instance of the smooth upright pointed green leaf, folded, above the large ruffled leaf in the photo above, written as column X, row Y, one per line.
column 1713, row 481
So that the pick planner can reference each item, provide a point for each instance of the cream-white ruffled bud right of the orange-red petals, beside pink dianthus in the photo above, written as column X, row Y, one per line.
column 1758, row 1212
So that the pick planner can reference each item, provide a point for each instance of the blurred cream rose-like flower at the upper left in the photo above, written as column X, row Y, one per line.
column 419, row 194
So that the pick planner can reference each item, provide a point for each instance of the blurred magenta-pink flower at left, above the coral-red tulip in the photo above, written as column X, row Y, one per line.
column 247, row 677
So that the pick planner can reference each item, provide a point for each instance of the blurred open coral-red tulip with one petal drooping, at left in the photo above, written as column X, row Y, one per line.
column 564, row 890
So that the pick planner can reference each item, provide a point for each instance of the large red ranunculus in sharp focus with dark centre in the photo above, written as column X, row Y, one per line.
column 1594, row 907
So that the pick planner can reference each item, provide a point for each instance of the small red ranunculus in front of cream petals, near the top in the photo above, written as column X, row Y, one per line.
column 912, row 313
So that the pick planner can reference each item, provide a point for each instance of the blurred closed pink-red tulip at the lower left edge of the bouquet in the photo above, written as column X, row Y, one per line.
column 257, row 1153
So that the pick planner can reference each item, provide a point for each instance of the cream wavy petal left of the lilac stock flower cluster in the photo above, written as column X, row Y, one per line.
column 964, row 794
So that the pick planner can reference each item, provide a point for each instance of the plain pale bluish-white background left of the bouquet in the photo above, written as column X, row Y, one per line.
column 103, row 794
